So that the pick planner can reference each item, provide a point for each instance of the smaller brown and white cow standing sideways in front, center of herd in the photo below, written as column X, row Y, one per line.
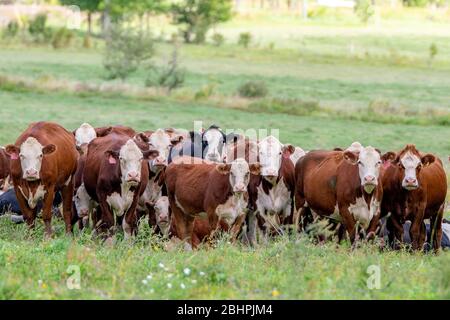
column 220, row 190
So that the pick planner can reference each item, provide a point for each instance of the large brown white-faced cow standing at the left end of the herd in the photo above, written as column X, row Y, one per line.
column 44, row 161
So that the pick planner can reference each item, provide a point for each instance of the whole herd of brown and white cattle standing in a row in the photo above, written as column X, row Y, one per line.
column 190, row 185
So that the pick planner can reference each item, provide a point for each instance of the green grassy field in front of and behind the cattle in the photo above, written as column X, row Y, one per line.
column 320, row 68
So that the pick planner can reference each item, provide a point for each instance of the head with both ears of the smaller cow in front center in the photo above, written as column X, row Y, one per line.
column 239, row 173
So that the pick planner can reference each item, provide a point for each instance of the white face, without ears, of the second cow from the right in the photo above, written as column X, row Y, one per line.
column 369, row 165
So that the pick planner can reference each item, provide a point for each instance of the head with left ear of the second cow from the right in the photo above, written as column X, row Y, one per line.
column 368, row 160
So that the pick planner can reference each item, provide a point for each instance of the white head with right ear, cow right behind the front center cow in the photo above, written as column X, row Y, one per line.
column 270, row 153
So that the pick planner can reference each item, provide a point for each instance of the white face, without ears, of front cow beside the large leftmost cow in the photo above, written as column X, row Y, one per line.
column 131, row 158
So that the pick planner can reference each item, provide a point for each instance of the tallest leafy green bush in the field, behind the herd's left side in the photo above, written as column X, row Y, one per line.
column 126, row 50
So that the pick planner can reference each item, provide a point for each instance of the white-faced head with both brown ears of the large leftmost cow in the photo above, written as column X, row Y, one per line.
column 31, row 154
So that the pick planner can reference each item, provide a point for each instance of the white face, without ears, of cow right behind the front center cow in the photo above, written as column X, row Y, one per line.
column 270, row 153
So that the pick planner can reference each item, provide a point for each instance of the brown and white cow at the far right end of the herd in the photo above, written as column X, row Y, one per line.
column 415, row 187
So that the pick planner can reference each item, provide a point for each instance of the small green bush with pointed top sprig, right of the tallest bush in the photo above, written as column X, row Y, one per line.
column 171, row 77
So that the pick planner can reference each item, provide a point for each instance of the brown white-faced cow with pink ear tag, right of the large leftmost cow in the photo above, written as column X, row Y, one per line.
column 115, row 176
